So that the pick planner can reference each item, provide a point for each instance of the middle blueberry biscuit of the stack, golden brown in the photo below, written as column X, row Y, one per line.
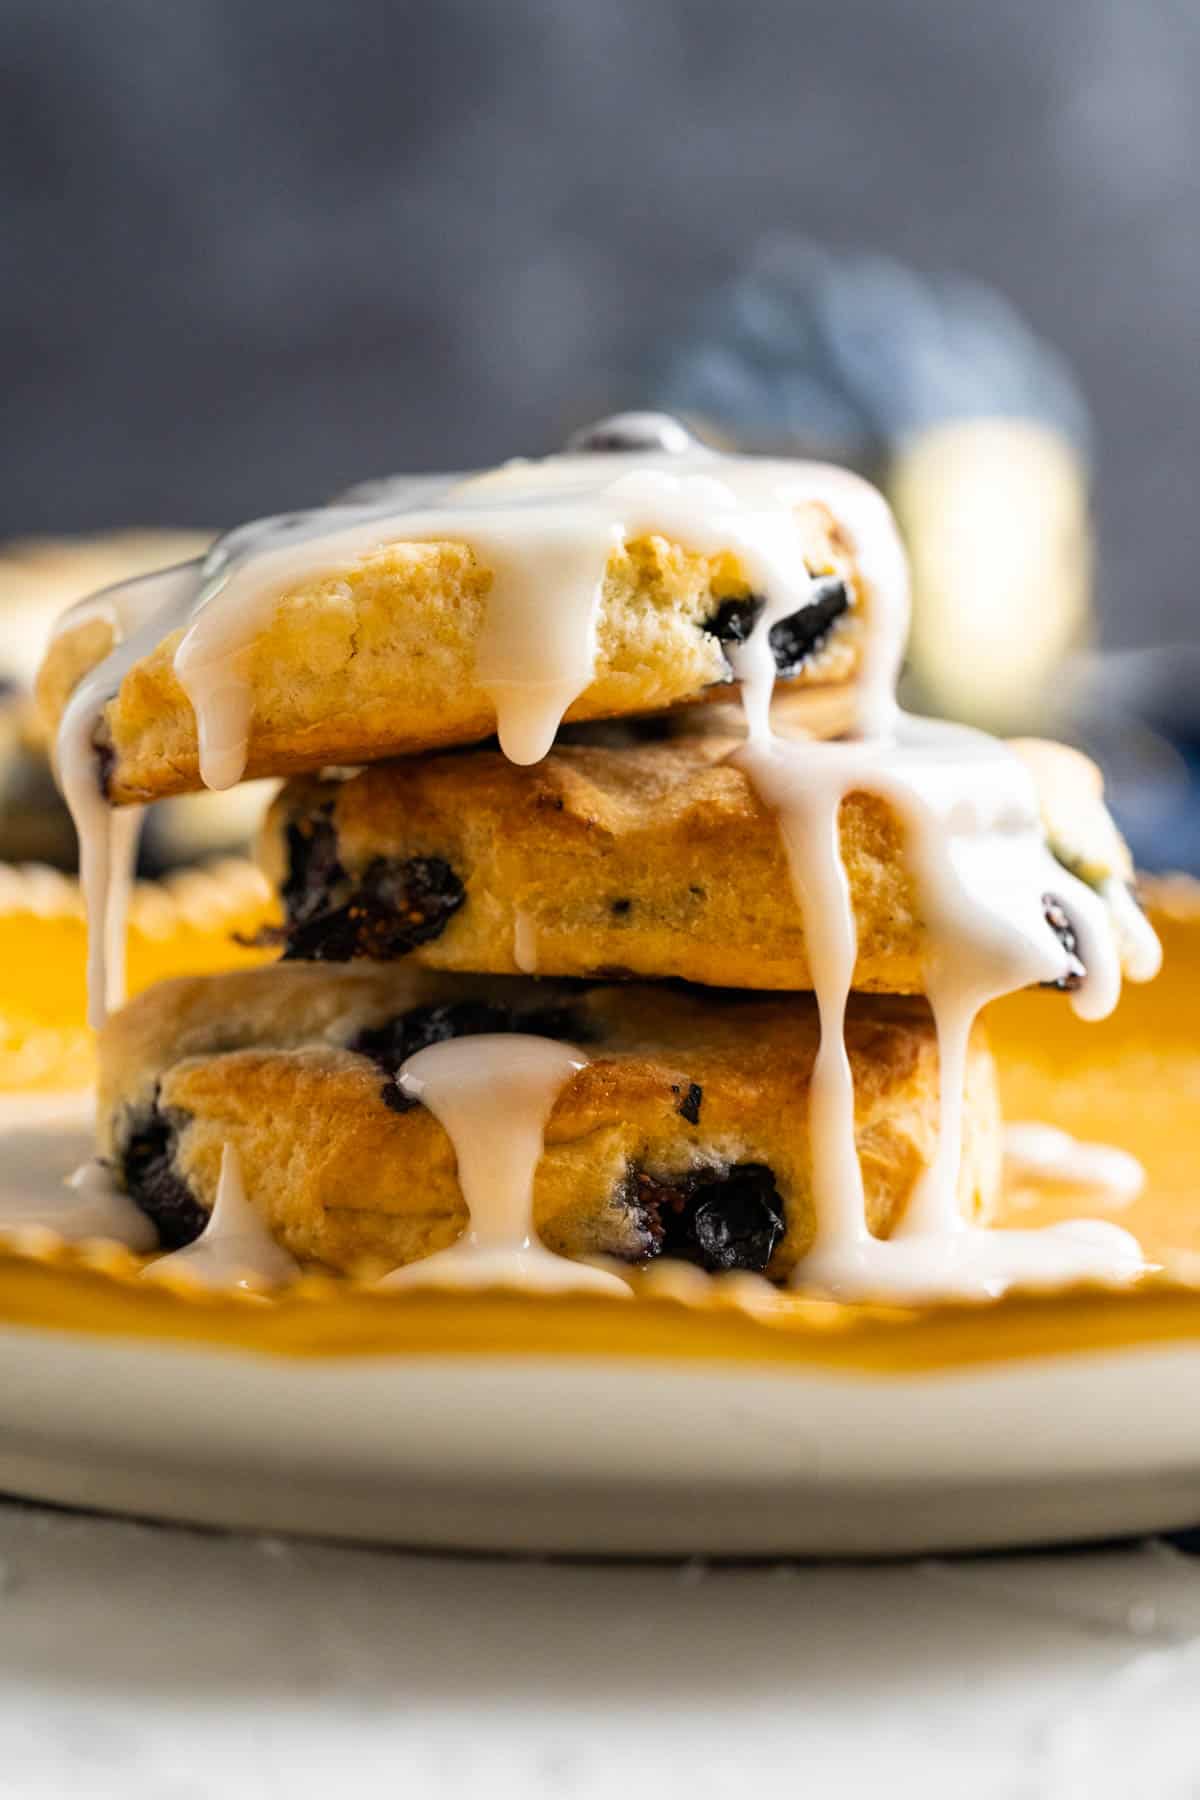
column 647, row 861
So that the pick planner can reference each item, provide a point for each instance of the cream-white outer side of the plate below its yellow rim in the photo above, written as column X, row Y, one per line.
column 613, row 1457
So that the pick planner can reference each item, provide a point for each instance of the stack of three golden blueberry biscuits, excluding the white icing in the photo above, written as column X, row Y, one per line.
column 629, row 894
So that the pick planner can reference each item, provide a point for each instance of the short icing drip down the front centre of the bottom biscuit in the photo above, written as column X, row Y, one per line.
column 494, row 1097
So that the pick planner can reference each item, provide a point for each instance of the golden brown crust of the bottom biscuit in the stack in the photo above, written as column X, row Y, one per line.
column 260, row 1061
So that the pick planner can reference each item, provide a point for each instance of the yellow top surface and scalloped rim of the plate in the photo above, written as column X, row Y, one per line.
column 1133, row 1081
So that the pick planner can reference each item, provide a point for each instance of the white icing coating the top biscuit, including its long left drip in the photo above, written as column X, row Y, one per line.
column 544, row 530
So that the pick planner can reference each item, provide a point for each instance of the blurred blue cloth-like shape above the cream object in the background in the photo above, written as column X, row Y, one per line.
column 850, row 354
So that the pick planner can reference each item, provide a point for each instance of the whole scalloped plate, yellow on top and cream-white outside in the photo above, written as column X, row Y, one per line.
column 703, row 1417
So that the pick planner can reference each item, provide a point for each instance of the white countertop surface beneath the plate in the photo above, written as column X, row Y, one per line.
column 159, row 1662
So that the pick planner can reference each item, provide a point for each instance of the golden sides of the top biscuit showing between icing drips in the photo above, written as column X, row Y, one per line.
column 381, row 660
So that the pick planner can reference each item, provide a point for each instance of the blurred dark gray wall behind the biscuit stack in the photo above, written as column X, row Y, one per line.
column 256, row 251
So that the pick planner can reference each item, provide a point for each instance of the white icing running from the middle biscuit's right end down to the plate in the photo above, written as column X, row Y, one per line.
column 976, row 849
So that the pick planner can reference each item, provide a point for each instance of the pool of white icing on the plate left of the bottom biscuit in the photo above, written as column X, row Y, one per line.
column 42, row 1137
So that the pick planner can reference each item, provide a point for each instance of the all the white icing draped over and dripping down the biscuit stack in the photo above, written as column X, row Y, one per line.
column 969, row 813
